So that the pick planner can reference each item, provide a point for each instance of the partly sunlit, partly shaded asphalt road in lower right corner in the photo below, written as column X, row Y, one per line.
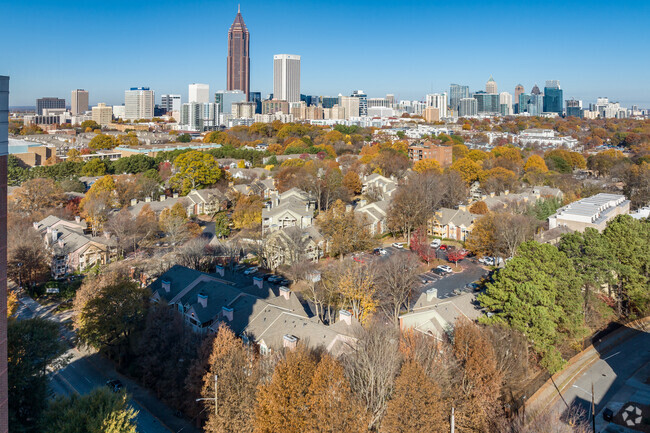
column 609, row 374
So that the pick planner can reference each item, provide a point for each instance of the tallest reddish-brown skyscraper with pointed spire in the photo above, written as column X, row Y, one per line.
column 239, row 74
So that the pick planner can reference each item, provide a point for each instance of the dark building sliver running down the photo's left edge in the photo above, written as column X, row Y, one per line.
column 4, row 149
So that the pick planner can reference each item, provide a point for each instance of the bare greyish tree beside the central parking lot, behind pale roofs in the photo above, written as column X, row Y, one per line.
column 395, row 281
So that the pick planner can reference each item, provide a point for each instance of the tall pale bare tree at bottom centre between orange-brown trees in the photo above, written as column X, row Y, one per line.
column 372, row 367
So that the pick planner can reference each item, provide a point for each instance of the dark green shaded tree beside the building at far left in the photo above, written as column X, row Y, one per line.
column 33, row 346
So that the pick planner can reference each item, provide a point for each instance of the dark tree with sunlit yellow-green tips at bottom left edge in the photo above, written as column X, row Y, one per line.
column 100, row 411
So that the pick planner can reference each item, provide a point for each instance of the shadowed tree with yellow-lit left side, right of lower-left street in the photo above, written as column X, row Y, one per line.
column 107, row 320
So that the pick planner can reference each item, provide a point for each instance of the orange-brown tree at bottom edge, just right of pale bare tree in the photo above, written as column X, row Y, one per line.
column 416, row 404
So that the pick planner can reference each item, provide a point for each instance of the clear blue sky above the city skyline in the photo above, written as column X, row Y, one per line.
column 409, row 48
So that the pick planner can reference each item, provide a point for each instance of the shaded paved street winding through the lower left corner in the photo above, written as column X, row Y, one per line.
column 87, row 370
